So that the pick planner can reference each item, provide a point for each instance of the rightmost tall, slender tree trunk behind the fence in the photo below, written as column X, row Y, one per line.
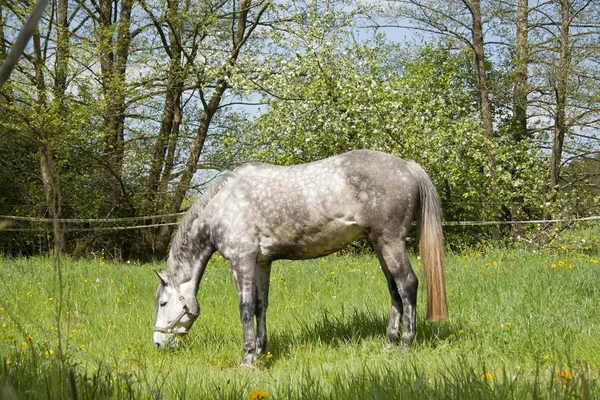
column 560, row 92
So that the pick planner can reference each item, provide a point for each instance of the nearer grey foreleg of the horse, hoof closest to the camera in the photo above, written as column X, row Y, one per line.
column 243, row 274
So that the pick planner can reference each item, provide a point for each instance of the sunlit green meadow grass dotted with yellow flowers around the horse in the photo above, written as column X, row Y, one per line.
column 521, row 325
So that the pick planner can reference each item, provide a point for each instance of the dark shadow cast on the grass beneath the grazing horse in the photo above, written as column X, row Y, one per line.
column 344, row 328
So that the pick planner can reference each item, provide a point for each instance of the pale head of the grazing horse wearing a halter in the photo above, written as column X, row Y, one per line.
column 175, row 312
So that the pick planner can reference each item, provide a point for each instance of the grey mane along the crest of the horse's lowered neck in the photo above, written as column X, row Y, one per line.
column 184, row 231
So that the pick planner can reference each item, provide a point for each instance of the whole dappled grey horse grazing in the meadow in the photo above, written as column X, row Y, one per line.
column 259, row 213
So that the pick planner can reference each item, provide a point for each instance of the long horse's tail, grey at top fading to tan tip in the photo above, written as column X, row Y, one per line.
column 431, row 243
